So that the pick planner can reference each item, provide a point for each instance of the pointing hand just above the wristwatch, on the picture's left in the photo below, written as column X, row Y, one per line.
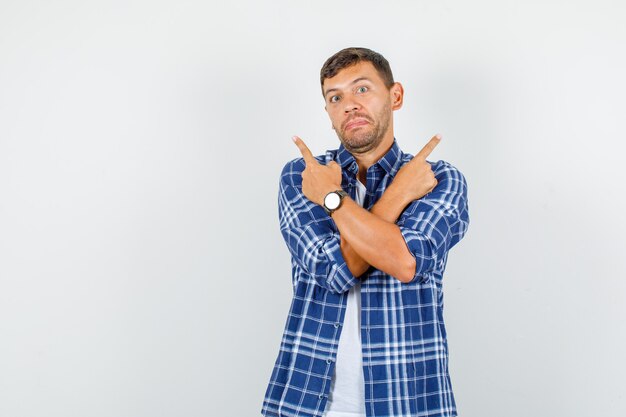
column 317, row 179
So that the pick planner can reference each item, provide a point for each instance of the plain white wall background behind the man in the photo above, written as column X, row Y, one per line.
column 142, row 271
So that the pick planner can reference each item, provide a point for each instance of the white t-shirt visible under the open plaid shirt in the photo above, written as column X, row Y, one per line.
column 347, row 386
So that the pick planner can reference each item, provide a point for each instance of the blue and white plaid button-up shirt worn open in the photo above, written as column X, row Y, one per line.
column 404, row 345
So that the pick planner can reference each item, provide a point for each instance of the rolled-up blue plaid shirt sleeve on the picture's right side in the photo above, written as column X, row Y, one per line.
column 432, row 225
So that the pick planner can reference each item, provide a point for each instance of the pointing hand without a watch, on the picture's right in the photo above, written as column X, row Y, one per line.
column 415, row 179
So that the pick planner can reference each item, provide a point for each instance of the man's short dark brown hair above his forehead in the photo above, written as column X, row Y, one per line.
column 352, row 56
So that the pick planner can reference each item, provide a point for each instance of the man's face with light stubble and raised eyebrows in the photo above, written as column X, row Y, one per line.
column 359, row 106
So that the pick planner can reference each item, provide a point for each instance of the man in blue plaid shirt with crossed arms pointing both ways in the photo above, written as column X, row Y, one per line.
column 369, row 228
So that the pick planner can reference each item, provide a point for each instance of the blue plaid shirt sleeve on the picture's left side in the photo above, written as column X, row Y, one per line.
column 310, row 234
